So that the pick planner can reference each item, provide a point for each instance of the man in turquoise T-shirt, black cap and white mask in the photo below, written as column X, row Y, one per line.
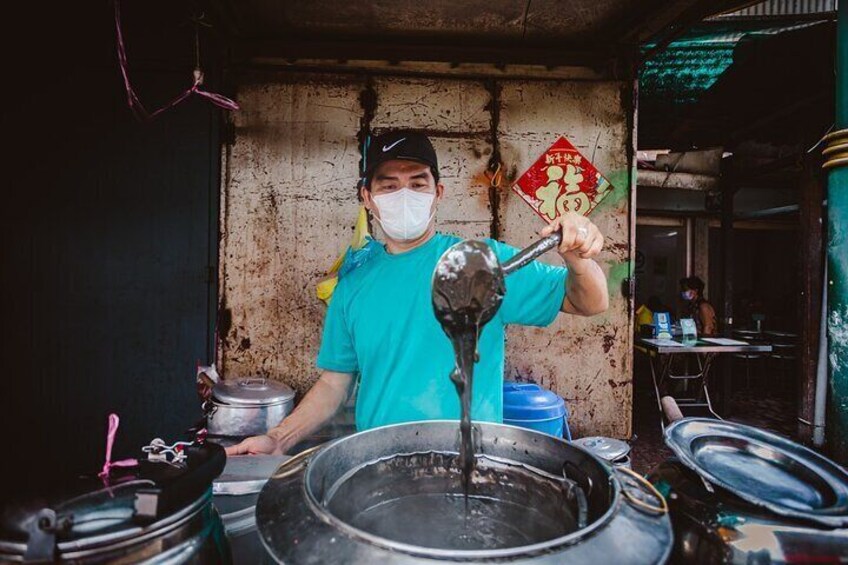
column 380, row 325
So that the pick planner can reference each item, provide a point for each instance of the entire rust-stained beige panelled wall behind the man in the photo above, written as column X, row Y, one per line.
column 289, row 200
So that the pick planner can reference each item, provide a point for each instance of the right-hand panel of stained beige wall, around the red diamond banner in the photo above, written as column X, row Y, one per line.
column 587, row 361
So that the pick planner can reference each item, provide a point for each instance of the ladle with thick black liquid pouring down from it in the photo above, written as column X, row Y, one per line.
column 468, row 288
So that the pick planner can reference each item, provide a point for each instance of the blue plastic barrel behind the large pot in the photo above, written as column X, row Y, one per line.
column 528, row 405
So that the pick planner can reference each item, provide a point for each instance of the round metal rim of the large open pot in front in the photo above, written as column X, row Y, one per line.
column 523, row 550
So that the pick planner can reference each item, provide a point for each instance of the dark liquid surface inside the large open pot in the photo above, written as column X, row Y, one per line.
column 420, row 500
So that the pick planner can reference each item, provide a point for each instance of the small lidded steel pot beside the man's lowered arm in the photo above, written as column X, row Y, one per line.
column 246, row 407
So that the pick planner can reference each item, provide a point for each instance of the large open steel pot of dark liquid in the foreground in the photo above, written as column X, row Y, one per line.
column 534, row 498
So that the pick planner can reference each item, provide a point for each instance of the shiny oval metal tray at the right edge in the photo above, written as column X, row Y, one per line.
column 763, row 468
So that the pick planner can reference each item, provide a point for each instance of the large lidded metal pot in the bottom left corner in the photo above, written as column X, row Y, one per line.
column 157, row 513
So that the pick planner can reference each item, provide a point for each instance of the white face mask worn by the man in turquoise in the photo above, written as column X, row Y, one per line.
column 405, row 213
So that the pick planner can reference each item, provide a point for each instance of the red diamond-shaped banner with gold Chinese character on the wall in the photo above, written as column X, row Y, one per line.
column 562, row 180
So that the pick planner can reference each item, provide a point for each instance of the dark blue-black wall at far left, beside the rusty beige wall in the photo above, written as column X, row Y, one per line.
column 109, row 242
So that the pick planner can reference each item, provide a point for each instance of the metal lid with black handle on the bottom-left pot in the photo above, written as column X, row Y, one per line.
column 69, row 516
